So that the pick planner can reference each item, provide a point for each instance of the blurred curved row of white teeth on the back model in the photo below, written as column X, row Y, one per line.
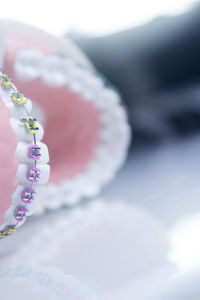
column 57, row 71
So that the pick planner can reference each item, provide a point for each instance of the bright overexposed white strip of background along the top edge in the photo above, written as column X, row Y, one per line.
column 90, row 17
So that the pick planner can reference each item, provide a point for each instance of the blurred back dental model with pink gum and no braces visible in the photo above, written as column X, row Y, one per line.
column 85, row 123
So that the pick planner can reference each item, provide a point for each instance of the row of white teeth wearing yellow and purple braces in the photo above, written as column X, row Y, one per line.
column 32, row 155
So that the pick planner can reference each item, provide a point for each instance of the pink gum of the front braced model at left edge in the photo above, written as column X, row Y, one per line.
column 8, row 162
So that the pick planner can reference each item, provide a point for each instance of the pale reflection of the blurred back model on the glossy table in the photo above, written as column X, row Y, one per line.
column 104, row 245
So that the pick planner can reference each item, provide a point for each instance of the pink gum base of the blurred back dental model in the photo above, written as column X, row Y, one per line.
column 72, row 124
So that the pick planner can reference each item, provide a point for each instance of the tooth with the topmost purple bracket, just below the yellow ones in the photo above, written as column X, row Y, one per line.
column 23, row 155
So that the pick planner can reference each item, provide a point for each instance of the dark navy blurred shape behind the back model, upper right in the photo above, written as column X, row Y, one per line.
column 156, row 67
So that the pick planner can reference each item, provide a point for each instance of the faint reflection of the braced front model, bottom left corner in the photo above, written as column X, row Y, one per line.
column 34, row 282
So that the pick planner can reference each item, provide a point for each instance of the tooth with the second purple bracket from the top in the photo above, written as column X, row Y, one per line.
column 41, row 173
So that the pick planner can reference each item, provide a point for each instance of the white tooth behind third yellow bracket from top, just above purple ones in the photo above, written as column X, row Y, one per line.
column 21, row 133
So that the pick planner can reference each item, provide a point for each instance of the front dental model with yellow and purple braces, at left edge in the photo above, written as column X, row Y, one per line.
column 23, row 160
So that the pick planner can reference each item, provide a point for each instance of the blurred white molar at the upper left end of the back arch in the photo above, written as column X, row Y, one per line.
column 27, row 64
